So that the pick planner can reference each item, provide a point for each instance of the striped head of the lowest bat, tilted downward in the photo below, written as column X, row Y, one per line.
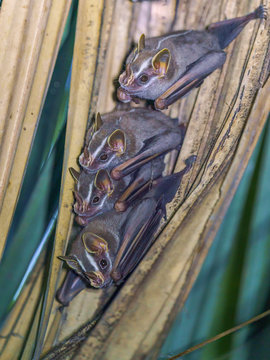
column 90, row 259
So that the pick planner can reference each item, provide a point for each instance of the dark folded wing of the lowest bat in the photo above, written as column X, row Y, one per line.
column 139, row 229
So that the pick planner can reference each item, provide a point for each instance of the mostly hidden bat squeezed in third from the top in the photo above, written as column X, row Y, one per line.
column 98, row 193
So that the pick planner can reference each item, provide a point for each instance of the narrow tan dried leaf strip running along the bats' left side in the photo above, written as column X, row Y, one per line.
column 89, row 23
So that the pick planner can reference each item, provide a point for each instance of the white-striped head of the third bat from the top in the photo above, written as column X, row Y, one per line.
column 93, row 195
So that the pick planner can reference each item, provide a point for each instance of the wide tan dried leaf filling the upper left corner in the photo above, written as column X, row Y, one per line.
column 39, row 27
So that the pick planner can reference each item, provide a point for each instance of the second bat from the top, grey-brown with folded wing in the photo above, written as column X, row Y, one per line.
column 127, row 140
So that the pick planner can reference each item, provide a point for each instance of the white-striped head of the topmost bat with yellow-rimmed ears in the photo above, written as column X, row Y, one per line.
column 145, row 73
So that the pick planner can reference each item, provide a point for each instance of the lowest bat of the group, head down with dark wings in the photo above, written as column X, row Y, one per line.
column 112, row 244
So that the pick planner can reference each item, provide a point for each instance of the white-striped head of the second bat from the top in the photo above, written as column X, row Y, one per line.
column 105, row 146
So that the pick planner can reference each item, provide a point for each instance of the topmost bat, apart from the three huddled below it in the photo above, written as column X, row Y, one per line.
column 165, row 68
